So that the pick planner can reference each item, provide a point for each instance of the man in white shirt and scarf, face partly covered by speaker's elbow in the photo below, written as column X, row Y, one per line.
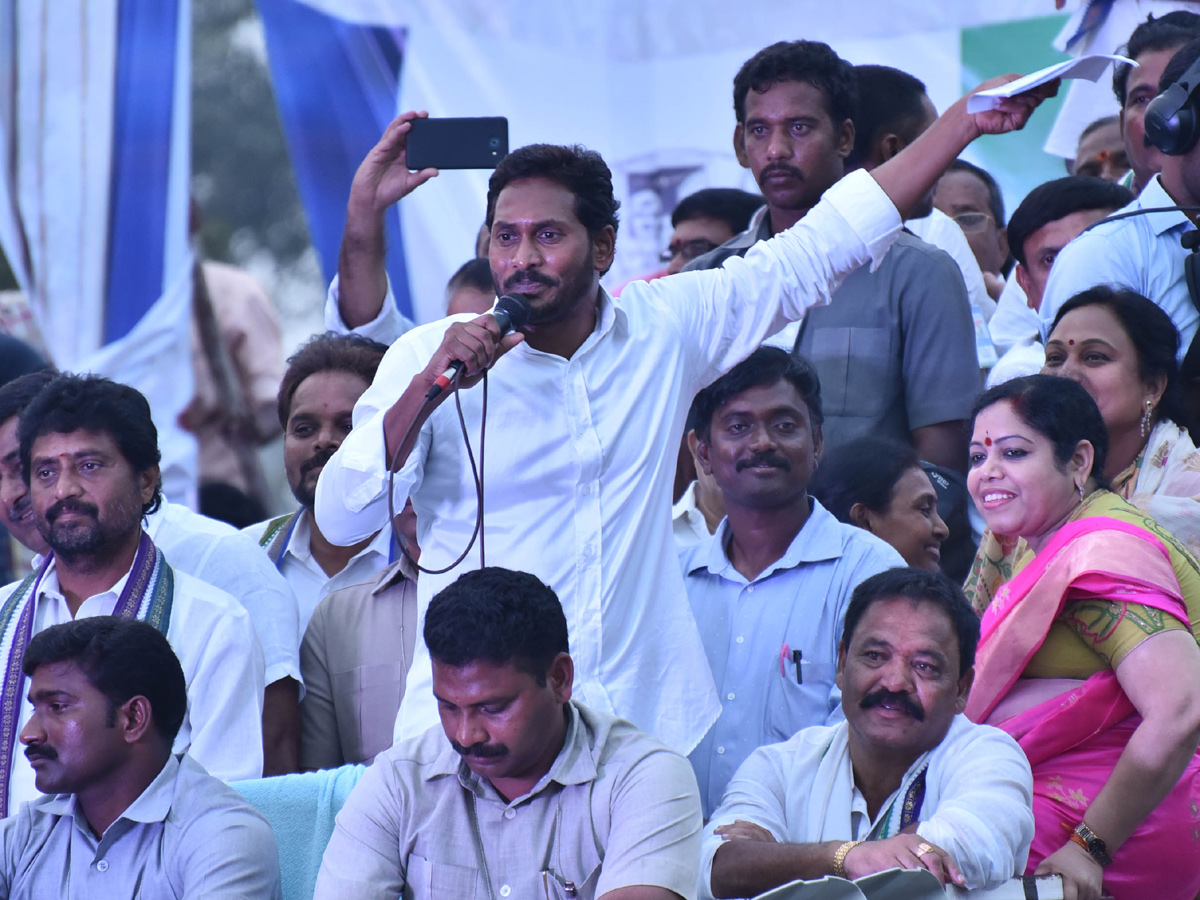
column 323, row 381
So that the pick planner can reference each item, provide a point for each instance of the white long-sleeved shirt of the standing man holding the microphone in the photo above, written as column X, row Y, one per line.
column 581, row 457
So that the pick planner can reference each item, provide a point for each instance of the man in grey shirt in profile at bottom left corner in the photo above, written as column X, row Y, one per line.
column 125, row 817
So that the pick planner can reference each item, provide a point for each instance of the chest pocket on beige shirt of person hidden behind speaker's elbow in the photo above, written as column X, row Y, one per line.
column 367, row 700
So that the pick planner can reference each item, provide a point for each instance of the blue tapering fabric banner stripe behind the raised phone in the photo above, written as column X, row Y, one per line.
column 337, row 86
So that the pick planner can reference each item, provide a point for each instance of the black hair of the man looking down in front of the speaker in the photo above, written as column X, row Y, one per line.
column 500, row 616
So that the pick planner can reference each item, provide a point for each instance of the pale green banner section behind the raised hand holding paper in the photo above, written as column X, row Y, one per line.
column 1017, row 161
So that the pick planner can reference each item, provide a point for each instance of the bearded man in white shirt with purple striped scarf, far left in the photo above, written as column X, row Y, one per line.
column 89, row 451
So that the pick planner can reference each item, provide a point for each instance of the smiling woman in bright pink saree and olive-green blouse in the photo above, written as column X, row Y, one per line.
column 1088, row 657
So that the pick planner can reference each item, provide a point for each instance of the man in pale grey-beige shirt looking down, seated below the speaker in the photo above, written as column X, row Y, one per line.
column 521, row 793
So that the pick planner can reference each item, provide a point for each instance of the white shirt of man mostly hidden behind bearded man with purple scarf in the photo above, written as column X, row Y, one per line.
column 217, row 554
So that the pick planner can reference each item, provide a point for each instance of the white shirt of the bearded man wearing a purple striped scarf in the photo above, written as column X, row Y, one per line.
column 223, row 662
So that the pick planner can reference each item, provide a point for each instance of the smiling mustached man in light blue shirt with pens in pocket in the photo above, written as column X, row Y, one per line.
column 770, row 590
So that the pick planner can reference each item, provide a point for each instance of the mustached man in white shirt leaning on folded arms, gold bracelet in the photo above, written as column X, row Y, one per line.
column 905, row 782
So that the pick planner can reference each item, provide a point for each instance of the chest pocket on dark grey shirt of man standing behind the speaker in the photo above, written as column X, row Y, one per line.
column 855, row 367
